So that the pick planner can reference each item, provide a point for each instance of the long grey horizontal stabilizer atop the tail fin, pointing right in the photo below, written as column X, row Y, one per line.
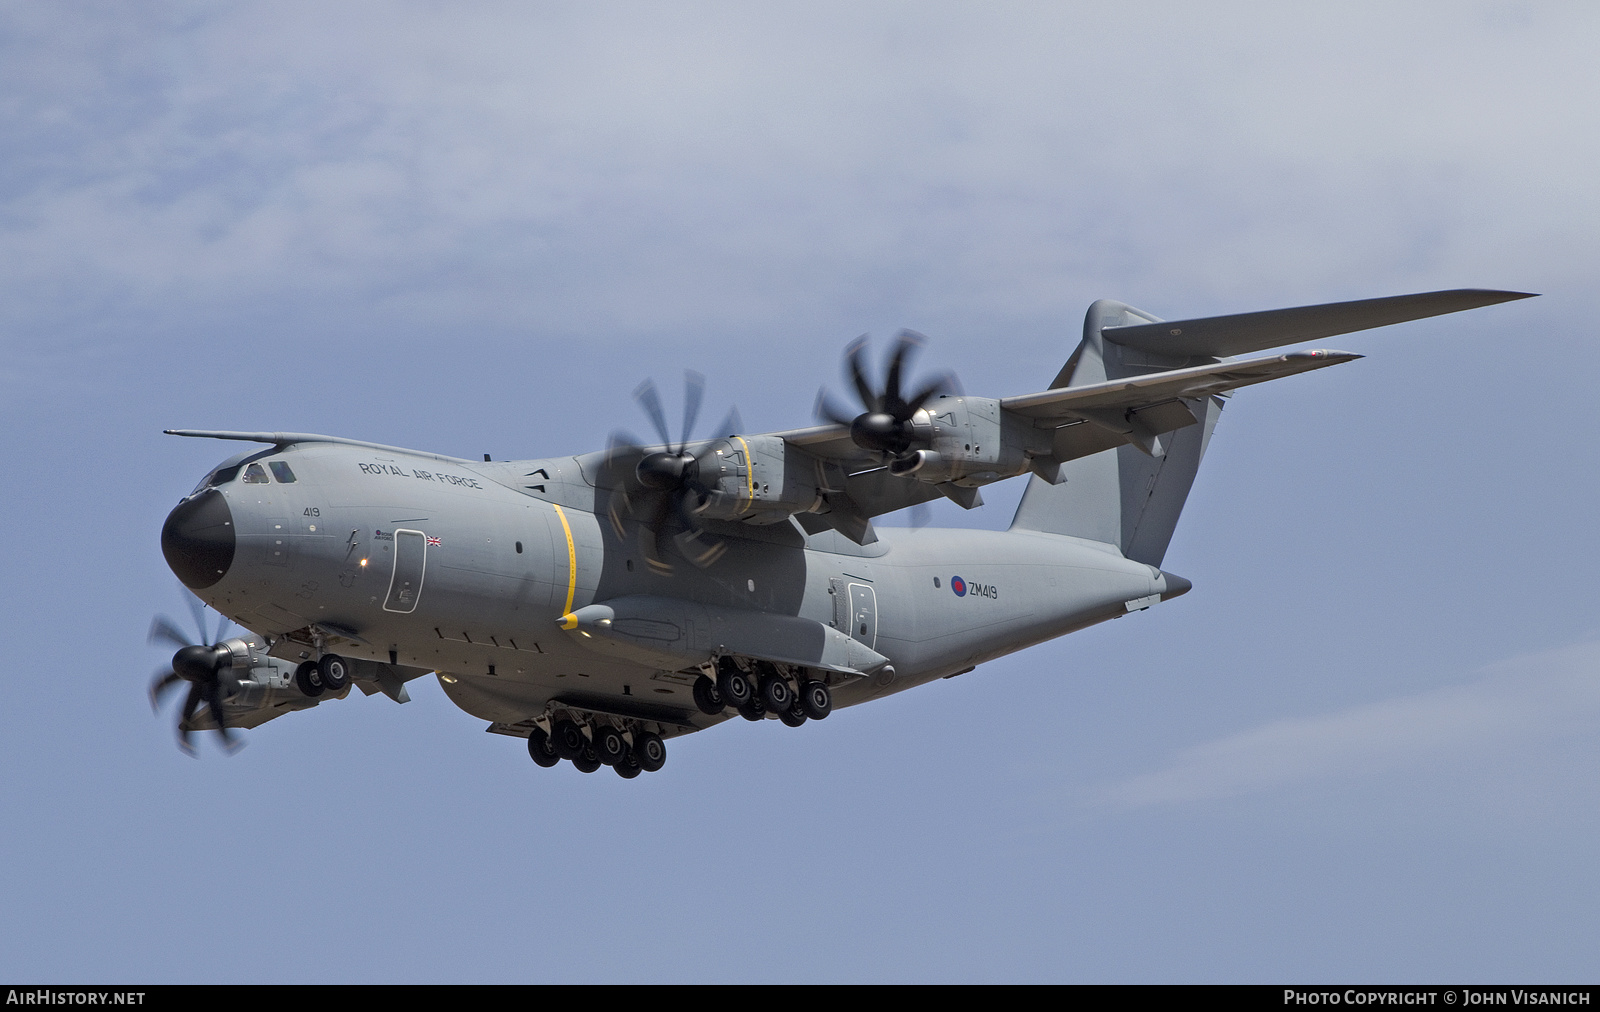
column 1252, row 332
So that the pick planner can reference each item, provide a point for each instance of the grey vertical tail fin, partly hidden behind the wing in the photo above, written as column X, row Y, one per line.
column 1122, row 497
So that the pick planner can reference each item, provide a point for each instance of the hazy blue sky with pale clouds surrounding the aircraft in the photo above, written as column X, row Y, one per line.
column 1364, row 749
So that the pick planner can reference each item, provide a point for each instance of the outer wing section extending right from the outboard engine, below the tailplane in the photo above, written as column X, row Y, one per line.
column 1198, row 382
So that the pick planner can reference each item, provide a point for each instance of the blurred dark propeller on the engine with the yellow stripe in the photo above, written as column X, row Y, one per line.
column 663, row 489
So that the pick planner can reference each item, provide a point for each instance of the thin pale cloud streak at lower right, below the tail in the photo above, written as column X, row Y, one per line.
column 1529, row 701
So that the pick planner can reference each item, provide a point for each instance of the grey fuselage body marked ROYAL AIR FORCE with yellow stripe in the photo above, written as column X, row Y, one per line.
column 470, row 569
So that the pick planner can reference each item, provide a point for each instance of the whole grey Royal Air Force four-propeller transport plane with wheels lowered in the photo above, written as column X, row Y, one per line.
column 606, row 603
